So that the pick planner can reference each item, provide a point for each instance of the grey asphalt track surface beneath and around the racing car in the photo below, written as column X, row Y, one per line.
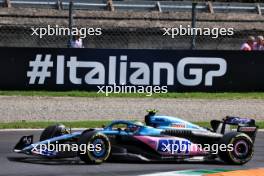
column 12, row 164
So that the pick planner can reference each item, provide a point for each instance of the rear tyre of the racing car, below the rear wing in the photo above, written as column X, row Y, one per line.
column 243, row 148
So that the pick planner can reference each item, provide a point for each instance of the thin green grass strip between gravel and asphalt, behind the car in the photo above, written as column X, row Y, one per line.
column 76, row 124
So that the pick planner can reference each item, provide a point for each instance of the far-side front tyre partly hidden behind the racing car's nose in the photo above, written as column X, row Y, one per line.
column 53, row 131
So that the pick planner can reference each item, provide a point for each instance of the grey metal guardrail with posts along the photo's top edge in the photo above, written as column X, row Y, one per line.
column 222, row 6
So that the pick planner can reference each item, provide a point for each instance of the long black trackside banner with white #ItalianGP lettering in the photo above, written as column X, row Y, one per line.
column 86, row 69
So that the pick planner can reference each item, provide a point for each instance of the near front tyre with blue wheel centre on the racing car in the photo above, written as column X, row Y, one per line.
column 95, row 155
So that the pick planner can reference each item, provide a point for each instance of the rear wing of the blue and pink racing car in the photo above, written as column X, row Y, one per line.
column 244, row 125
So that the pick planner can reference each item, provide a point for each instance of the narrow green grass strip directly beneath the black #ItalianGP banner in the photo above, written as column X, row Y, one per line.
column 196, row 95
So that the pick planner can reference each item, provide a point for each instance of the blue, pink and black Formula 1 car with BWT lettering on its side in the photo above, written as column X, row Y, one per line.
column 162, row 138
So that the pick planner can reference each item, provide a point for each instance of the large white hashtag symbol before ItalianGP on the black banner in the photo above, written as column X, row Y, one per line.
column 39, row 69
